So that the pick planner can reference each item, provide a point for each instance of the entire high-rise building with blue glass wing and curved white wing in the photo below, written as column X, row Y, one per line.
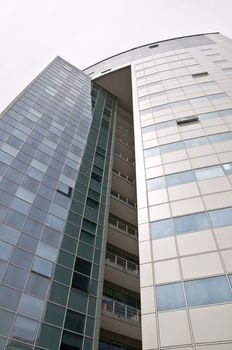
column 116, row 202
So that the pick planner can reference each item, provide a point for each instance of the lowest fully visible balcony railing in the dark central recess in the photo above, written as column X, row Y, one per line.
column 119, row 310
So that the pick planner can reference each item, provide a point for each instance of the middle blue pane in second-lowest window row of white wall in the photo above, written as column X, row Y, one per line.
column 190, row 223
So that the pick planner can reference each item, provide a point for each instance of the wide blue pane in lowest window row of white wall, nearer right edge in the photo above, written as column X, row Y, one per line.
column 207, row 291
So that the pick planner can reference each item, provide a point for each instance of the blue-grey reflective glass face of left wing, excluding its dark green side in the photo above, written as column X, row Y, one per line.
column 43, row 137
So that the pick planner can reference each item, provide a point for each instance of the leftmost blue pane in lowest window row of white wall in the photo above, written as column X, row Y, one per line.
column 170, row 296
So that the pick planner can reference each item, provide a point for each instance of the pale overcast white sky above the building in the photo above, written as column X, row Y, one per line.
column 33, row 32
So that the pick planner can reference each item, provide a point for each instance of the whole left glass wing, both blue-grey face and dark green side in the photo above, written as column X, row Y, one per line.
column 54, row 182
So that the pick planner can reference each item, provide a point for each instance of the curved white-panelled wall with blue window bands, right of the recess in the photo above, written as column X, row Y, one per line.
column 184, row 195
